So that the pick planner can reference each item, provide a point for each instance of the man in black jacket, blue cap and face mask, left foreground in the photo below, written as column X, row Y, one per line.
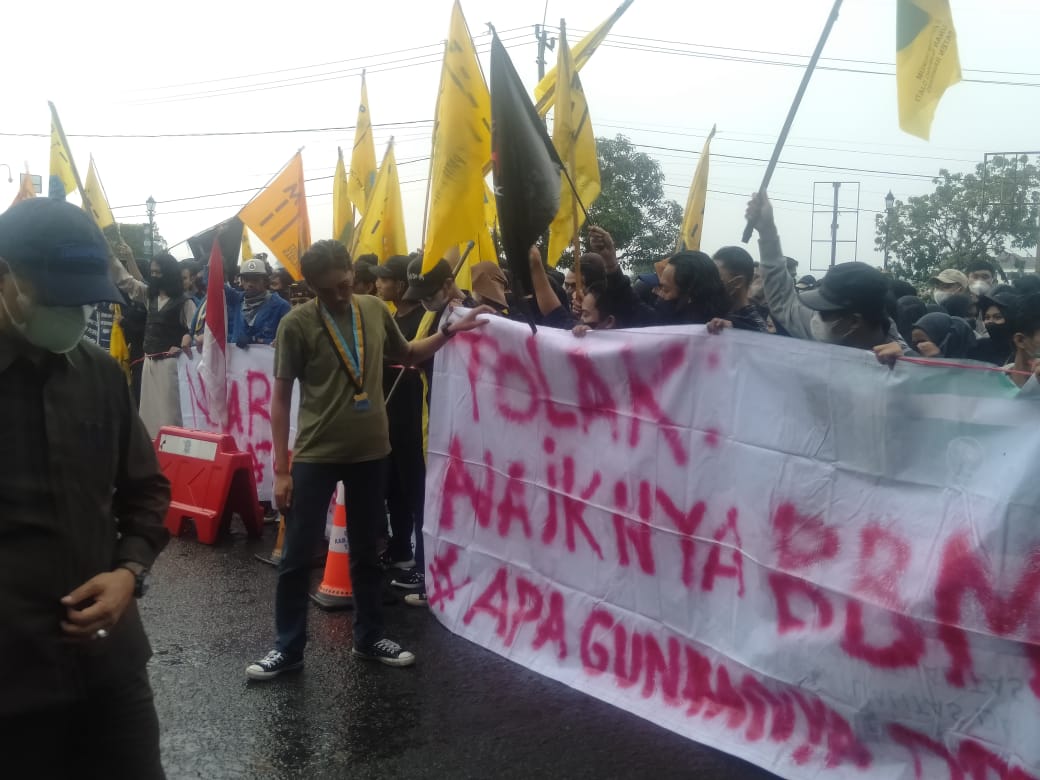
column 84, row 501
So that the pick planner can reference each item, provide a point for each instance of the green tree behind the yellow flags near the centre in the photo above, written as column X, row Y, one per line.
column 632, row 206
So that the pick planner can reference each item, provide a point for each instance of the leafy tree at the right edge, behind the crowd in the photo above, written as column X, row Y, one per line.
column 970, row 217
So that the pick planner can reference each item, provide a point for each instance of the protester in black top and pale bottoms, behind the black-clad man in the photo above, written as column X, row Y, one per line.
column 167, row 332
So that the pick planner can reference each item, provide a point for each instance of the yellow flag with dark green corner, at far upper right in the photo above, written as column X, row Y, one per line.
column 926, row 61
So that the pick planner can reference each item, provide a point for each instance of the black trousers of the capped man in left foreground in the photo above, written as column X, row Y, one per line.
column 112, row 734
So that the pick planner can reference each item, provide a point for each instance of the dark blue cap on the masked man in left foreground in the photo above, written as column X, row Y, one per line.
column 60, row 250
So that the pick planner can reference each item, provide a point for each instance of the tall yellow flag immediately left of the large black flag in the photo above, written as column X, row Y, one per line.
column 462, row 146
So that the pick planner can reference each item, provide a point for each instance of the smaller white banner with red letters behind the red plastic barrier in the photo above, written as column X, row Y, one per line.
column 250, row 384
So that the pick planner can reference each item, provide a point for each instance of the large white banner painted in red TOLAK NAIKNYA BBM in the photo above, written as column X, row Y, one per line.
column 775, row 548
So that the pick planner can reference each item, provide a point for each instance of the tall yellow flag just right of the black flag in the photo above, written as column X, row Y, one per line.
column 576, row 142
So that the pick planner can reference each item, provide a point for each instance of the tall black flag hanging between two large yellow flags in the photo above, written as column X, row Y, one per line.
column 527, row 168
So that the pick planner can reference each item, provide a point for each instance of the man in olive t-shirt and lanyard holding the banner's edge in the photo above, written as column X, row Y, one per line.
column 334, row 347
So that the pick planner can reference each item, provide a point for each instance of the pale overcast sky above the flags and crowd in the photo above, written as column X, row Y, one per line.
column 667, row 74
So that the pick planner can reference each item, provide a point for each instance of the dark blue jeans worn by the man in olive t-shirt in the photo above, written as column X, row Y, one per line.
column 314, row 486
